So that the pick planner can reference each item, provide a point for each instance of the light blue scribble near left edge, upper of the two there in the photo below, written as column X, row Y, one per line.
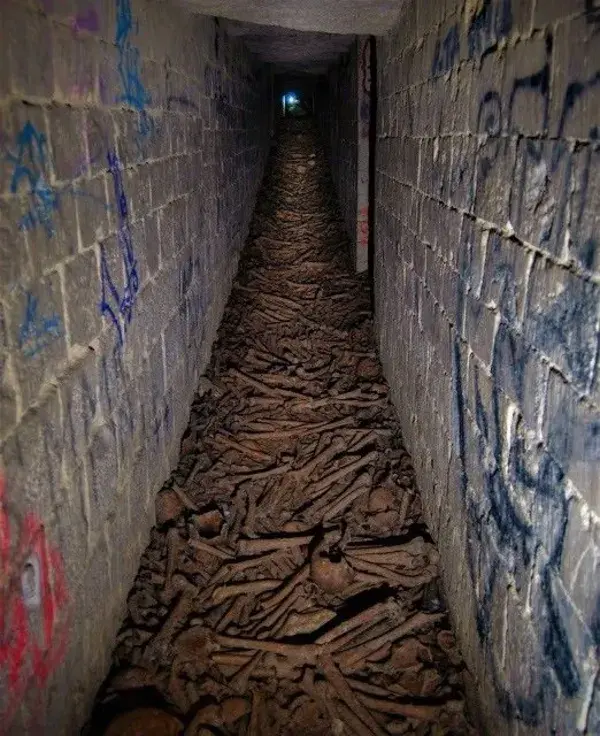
column 30, row 165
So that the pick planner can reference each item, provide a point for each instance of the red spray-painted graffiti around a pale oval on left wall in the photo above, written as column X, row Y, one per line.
column 31, row 581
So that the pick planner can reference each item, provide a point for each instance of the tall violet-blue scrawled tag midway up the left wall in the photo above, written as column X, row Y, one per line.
column 118, row 307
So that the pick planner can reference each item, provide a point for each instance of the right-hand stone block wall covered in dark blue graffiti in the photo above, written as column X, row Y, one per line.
column 487, row 290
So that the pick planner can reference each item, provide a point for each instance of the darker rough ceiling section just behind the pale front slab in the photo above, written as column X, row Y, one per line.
column 291, row 51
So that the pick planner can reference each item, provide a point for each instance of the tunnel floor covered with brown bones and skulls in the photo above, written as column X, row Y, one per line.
column 290, row 586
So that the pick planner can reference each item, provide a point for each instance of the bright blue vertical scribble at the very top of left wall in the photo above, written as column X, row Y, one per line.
column 134, row 92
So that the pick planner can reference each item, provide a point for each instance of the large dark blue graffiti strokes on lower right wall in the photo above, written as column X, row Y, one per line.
column 504, row 538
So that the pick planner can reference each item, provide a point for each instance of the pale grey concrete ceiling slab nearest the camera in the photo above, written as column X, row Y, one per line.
column 324, row 16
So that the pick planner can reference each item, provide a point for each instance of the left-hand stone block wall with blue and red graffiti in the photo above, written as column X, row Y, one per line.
column 133, row 138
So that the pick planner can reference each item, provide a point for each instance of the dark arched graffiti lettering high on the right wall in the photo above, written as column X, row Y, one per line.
column 552, row 178
